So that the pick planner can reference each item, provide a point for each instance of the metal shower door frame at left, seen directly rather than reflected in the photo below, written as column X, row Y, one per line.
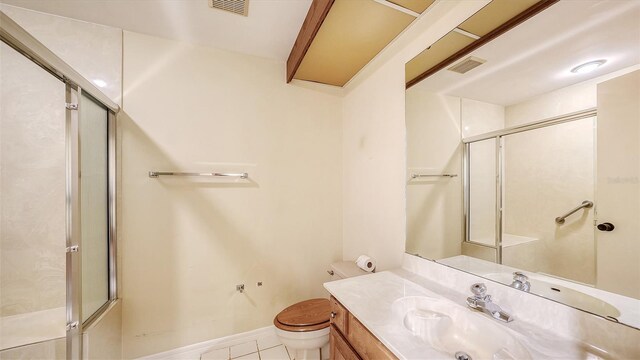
column 75, row 84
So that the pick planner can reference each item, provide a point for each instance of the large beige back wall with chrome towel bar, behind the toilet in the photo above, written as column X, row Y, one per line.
column 186, row 243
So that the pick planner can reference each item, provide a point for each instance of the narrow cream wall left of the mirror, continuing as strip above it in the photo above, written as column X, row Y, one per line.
column 374, row 140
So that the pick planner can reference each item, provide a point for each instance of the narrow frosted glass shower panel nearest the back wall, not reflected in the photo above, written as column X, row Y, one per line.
column 94, row 205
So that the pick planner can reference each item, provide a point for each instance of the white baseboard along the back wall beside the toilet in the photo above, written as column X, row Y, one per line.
column 194, row 350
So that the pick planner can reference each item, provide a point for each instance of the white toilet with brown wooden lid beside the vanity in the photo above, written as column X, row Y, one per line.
column 304, row 326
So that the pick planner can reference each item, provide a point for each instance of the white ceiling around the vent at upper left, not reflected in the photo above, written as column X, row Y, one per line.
column 269, row 31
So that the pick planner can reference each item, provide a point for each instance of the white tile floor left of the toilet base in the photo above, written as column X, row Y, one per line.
column 267, row 347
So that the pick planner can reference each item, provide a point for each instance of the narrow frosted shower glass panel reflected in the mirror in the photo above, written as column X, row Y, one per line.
column 482, row 192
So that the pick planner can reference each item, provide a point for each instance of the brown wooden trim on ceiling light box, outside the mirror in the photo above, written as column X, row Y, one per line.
column 315, row 17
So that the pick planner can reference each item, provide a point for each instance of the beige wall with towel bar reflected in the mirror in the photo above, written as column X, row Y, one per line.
column 434, row 204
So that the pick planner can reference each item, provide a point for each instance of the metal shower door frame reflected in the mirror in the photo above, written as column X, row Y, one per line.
column 499, row 137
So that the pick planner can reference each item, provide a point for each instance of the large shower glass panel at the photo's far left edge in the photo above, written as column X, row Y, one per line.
column 32, row 207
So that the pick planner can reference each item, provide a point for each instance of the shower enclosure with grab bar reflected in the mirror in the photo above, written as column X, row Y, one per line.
column 518, row 181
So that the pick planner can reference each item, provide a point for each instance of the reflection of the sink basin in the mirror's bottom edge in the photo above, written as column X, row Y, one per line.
column 562, row 294
